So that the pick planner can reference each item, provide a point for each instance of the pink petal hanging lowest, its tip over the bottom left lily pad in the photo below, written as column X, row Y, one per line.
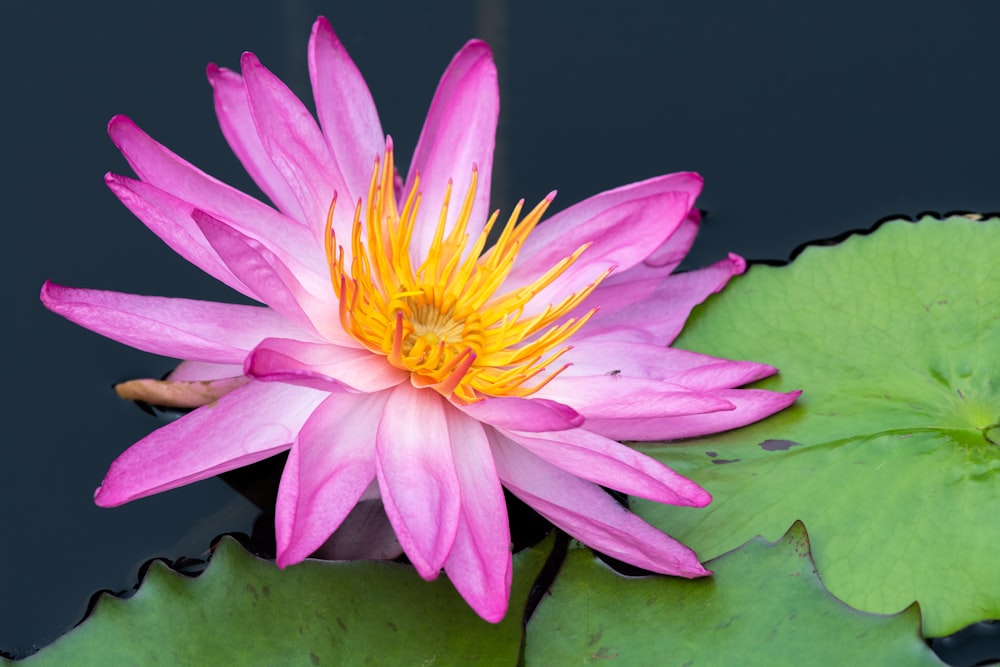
column 479, row 563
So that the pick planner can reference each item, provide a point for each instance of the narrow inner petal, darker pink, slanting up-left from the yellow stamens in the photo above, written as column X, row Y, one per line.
column 268, row 276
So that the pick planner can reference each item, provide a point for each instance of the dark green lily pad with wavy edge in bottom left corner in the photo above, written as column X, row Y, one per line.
column 245, row 611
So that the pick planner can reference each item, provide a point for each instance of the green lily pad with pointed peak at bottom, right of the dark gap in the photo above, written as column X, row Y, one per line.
column 764, row 605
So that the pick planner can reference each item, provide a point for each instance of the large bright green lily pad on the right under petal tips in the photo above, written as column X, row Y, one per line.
column 891, row 456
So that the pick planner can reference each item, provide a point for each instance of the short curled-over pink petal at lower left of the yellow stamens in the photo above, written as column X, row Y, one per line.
column 282, row 359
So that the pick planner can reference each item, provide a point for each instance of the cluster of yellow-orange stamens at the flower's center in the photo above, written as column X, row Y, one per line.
column 445, row 321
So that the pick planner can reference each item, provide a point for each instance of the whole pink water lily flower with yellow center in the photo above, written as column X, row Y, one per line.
column 399, row 355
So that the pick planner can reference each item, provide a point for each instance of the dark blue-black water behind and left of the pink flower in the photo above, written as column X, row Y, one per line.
column 806, row 120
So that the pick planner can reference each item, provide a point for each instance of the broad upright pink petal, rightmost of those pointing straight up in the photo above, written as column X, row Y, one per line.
column 458, row 136
